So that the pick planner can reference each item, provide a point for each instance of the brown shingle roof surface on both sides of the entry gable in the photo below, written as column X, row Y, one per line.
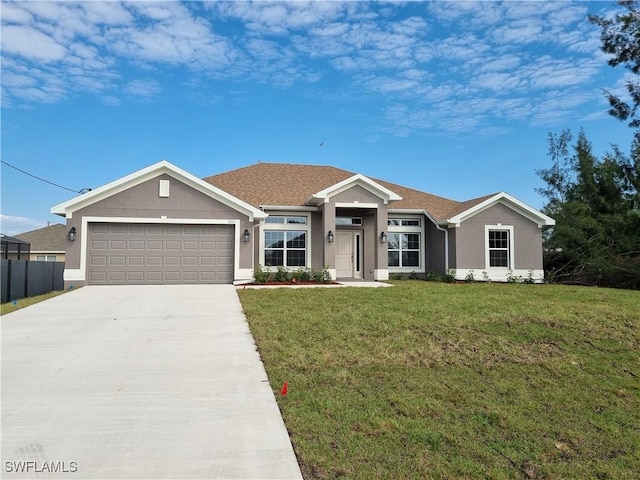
column 293, row 184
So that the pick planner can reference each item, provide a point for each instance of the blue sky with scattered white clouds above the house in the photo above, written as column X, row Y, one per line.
column 453, row 98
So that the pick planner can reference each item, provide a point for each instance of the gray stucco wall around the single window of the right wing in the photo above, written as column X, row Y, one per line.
column 470, row 239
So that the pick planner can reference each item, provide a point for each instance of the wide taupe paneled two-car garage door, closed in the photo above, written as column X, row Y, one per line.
column 122, row 253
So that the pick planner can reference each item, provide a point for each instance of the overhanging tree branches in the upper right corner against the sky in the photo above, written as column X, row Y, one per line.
column 621, row 38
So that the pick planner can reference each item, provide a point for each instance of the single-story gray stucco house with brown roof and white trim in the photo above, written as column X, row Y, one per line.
column 164, row 225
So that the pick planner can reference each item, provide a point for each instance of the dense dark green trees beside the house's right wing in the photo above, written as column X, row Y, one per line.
column 596, row 240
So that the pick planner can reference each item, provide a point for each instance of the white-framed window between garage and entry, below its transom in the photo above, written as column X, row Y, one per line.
column 287, row 248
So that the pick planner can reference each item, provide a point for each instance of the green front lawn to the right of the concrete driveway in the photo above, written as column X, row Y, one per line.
column 430, row 380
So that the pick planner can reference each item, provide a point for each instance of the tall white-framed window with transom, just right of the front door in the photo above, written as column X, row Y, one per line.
column 405, row 249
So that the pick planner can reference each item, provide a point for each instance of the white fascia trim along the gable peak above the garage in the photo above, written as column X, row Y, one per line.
column 67, row 208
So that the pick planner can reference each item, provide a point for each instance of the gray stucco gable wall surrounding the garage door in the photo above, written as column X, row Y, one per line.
column 142, row 201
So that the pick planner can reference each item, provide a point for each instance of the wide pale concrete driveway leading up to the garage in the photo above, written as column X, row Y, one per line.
column 138, row 382
